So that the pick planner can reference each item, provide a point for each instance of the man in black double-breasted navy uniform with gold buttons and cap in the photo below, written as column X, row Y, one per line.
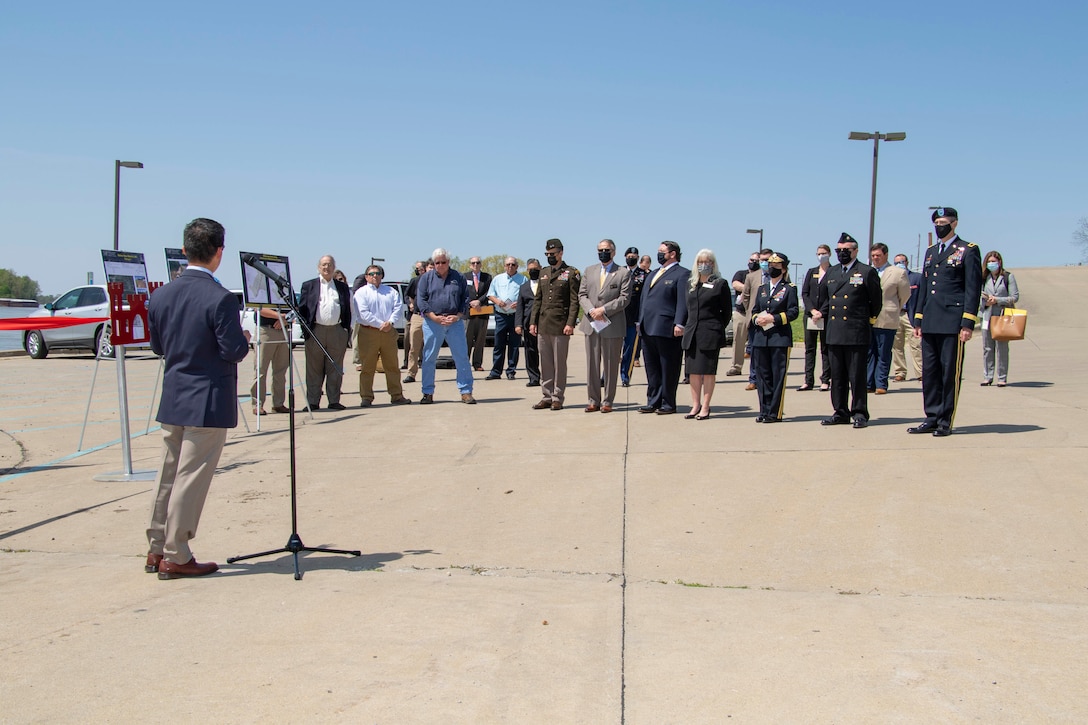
column 850, row 301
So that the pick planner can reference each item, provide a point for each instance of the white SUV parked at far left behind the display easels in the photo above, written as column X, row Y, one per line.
column 88, row 301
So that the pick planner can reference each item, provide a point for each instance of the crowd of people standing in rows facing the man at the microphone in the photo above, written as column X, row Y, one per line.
column 871, row 325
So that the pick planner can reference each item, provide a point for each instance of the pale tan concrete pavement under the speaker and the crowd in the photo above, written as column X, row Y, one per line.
column 566, row 568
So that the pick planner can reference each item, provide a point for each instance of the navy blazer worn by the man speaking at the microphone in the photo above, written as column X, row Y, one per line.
column 194, row 325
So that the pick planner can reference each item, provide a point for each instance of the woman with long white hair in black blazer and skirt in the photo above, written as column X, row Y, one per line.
column 710, row 311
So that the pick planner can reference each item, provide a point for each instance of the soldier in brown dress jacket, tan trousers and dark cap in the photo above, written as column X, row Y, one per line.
column 555, row 312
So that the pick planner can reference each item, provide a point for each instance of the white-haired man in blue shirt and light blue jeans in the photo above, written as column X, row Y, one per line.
column 443, row 301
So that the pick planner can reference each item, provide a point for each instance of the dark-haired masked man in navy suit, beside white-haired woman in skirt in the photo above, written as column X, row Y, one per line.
column 661, row 325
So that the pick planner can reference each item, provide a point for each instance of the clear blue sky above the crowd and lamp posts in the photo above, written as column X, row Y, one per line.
column 386, row 129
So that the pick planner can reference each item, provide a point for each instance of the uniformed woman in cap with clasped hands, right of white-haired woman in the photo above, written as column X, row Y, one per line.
column 772, row 337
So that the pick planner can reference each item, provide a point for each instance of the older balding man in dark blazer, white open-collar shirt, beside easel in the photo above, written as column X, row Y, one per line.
column 327, row 309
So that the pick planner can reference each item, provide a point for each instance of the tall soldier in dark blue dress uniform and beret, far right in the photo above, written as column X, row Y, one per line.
column 945, row 317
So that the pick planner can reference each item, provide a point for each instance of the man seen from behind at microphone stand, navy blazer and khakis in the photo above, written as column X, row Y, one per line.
column 195, row 327
